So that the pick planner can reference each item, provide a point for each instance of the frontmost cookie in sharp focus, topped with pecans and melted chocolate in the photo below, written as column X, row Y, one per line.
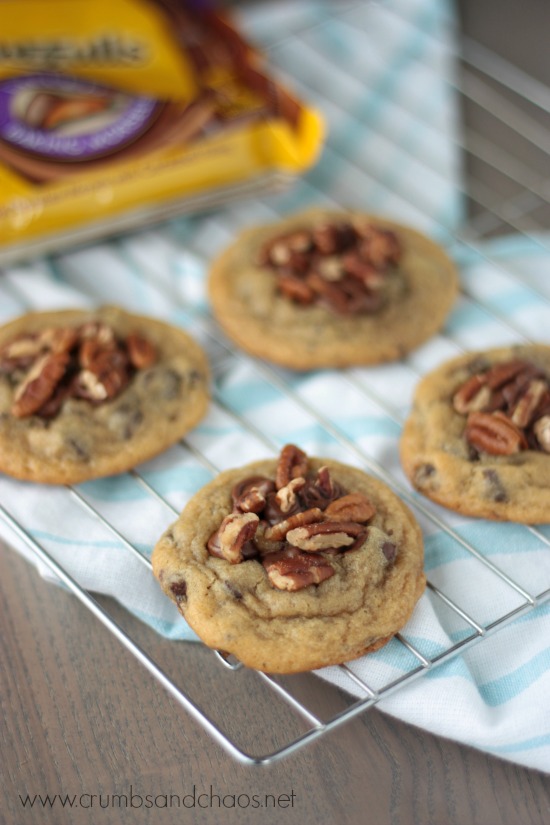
column 293, row 564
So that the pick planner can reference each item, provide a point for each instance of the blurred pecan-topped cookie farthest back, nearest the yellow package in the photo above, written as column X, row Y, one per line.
column 331, row 289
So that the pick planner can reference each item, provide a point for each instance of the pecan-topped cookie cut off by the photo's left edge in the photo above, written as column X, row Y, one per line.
column 85, row 394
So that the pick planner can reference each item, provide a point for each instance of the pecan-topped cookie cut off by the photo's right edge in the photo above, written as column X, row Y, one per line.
column 478, row 437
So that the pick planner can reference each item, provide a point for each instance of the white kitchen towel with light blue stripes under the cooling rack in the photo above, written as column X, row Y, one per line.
column 383, row 74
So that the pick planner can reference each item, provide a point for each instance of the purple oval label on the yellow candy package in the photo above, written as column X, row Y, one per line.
column 70, row 119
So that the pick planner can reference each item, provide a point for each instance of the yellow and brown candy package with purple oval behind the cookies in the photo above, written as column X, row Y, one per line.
column 118, row 113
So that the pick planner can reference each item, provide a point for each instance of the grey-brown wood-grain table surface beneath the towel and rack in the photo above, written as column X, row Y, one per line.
column 82, row 718
